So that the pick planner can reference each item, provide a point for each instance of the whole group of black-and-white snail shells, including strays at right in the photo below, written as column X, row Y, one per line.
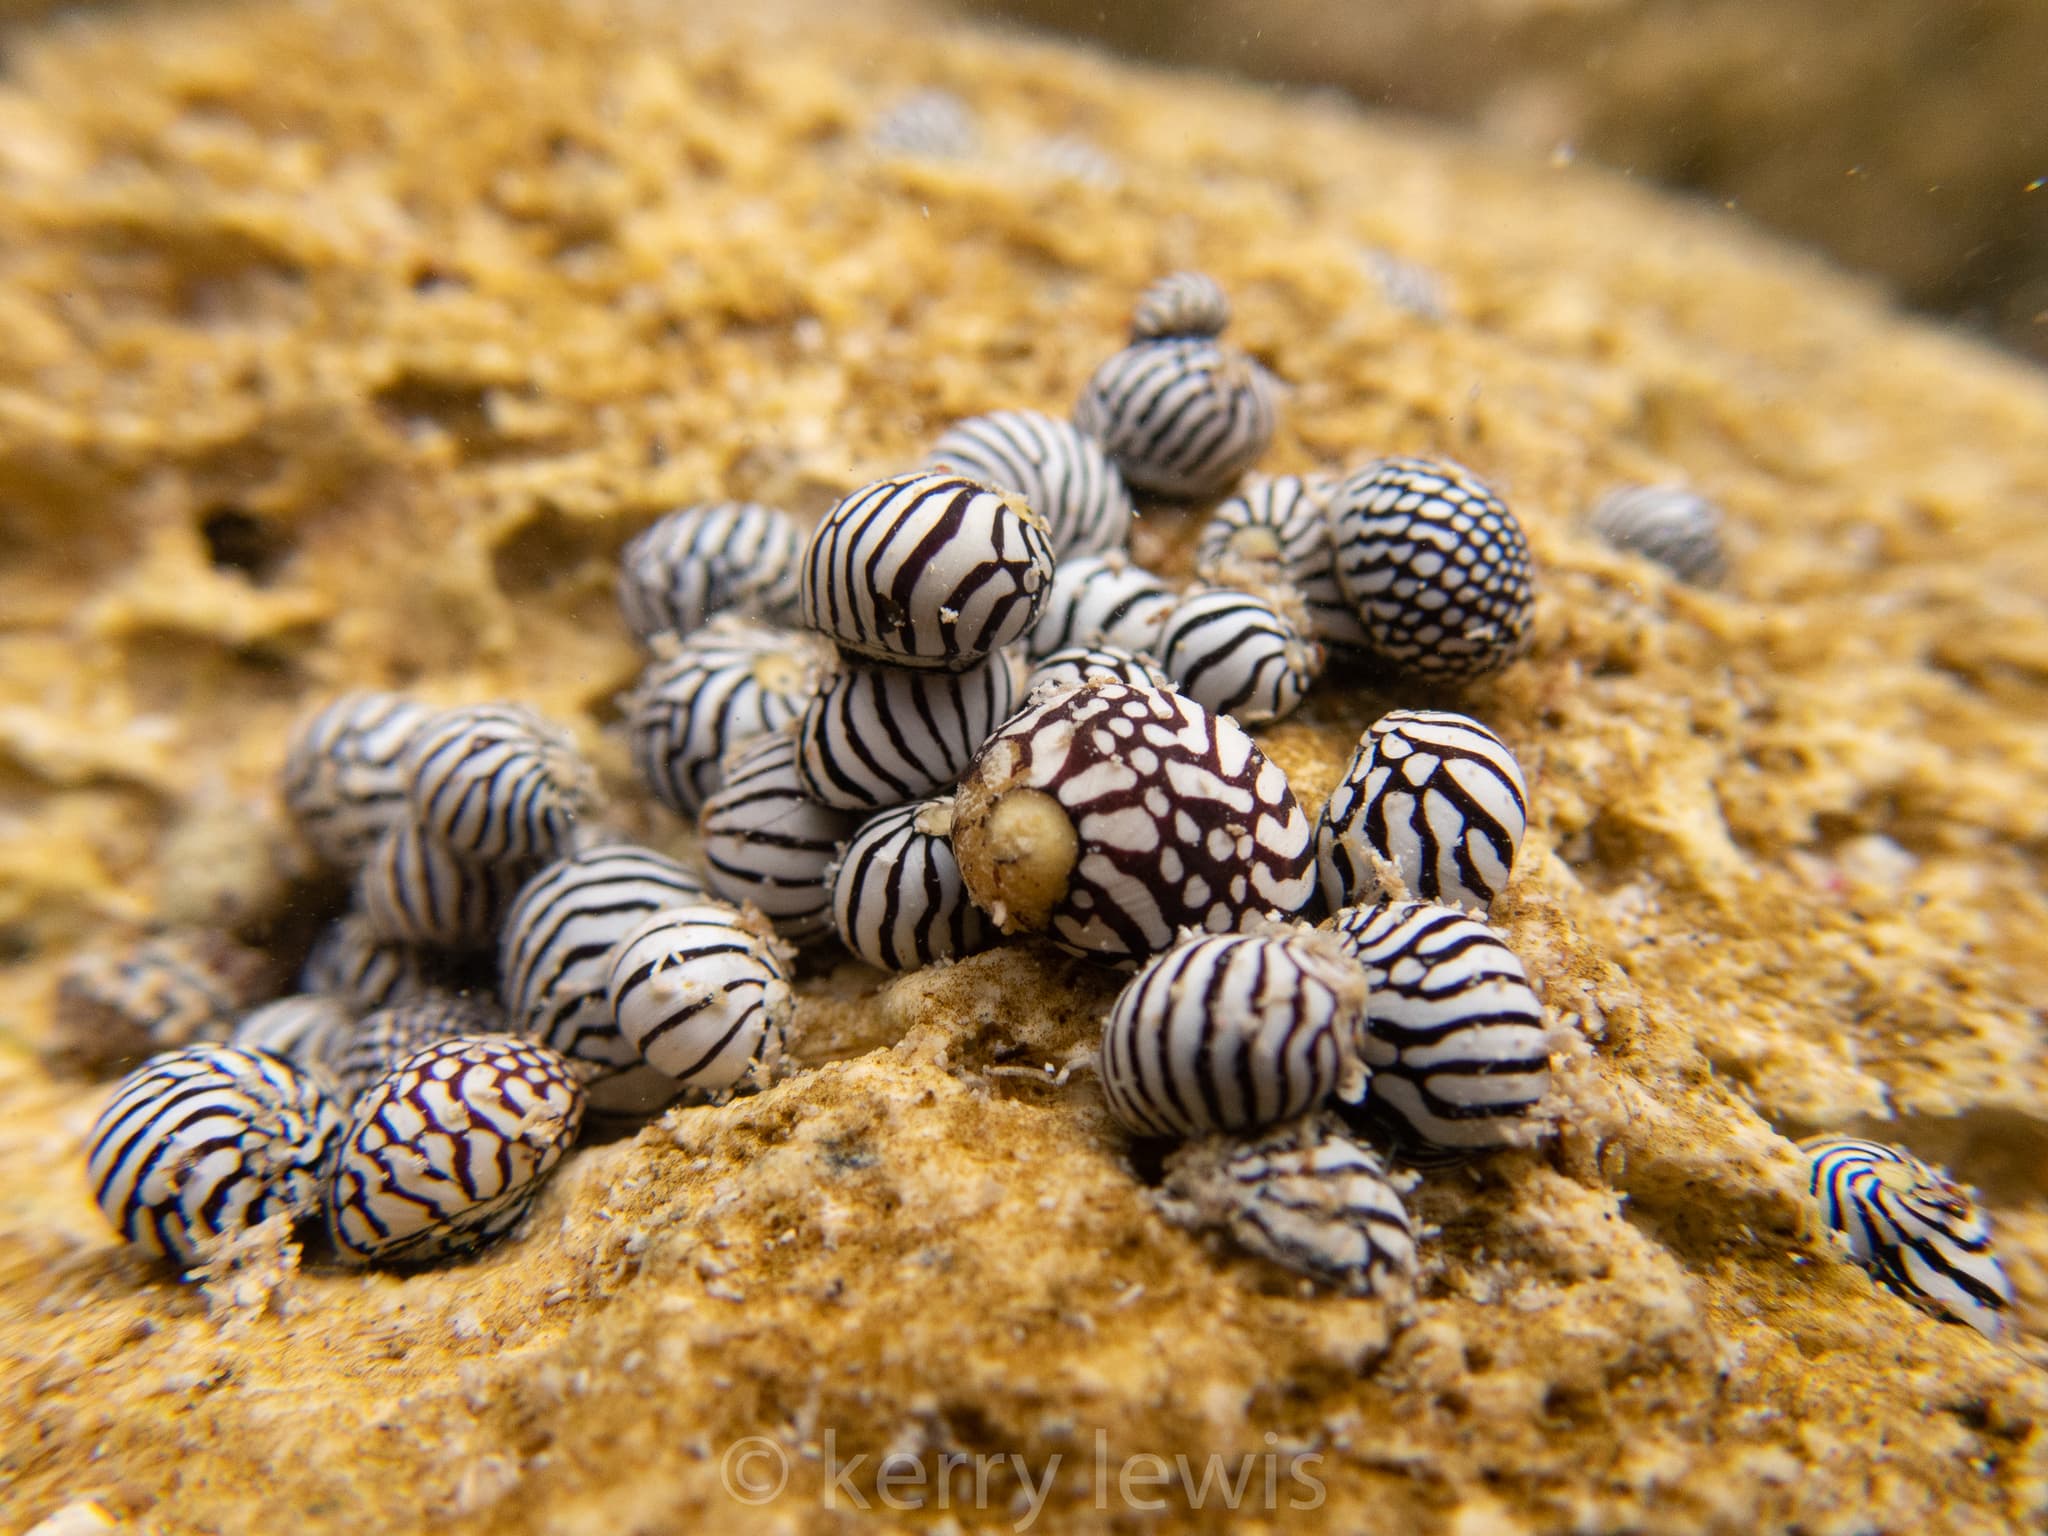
column 951, row 712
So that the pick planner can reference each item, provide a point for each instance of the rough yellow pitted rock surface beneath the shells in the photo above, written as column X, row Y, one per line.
column 347, row 345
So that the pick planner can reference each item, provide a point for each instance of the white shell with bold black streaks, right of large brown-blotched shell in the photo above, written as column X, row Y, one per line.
column 1439, row 798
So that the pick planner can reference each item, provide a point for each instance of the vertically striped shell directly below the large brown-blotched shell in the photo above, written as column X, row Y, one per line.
column 1234, row 1033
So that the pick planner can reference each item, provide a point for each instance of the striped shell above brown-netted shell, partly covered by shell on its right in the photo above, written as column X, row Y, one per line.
column 556, row 957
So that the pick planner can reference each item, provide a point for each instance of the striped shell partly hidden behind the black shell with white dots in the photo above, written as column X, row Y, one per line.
column 1277, row 534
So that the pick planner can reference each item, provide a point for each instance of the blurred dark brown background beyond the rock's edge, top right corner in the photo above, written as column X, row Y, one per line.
column 1906, row 138
